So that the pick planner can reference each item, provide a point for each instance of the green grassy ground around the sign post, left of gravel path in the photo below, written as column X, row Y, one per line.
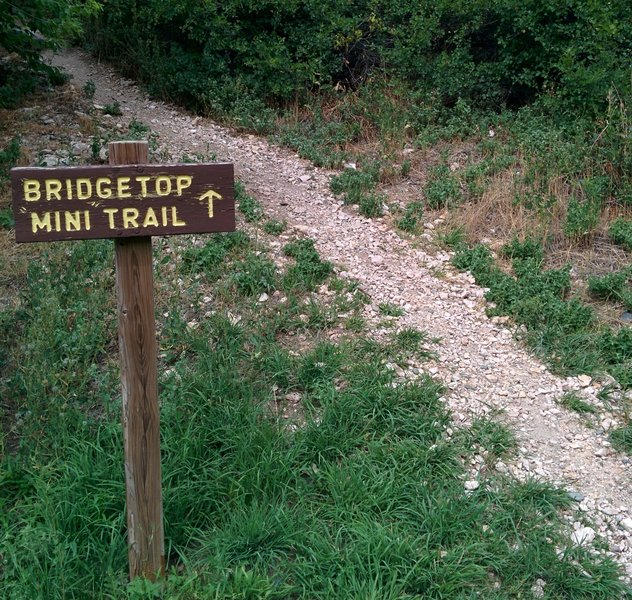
column 296, row 462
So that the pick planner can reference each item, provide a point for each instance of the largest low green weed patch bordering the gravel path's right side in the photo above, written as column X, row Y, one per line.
column 560, row 328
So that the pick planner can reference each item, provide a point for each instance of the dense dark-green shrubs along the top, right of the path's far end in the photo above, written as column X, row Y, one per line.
column 499, row 52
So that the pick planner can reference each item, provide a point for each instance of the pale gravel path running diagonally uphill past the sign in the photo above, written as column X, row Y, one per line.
column 483, row 367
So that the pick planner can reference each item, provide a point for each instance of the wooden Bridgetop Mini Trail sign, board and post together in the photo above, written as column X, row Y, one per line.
column 129, row 201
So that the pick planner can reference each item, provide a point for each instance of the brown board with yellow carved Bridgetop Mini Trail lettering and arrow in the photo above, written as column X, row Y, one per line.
column 81, row 203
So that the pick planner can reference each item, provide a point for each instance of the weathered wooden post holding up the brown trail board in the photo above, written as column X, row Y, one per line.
column 141, row 424
